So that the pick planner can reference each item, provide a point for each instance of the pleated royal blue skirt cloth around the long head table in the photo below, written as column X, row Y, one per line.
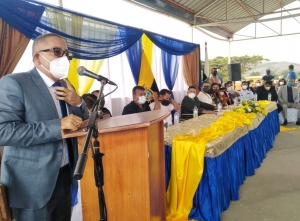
column 223, row 175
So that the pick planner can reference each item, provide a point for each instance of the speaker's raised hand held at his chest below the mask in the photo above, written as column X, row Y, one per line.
column 68, row 95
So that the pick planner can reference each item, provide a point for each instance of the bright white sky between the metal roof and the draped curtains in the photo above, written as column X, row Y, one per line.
column 276, row 49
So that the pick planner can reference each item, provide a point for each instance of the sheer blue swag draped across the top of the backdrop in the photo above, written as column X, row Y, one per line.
column 87, row 37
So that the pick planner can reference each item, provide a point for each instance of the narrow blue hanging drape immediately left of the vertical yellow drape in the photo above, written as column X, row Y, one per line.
column 134, row 56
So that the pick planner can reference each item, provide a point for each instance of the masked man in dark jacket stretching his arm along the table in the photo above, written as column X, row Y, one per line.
column 190, row 101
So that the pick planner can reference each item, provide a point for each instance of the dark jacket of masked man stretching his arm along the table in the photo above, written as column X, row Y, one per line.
column 188, row 104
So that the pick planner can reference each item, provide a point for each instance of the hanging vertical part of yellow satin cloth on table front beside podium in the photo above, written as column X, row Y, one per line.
column 187, row 169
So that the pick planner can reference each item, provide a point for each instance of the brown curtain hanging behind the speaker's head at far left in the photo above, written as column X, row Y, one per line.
column 13, row 44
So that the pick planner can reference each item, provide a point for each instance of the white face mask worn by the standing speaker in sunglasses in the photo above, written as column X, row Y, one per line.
column 59, row 67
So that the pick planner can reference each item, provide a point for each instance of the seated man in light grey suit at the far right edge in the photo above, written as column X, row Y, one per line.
column 289, row 98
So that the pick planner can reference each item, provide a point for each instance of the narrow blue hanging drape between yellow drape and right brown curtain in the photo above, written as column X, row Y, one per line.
column 170, row 65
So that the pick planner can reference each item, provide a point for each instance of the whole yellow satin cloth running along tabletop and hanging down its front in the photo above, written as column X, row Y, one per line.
column 187, row 161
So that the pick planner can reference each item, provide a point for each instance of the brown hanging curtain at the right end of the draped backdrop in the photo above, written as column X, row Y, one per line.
column 190, row 66
